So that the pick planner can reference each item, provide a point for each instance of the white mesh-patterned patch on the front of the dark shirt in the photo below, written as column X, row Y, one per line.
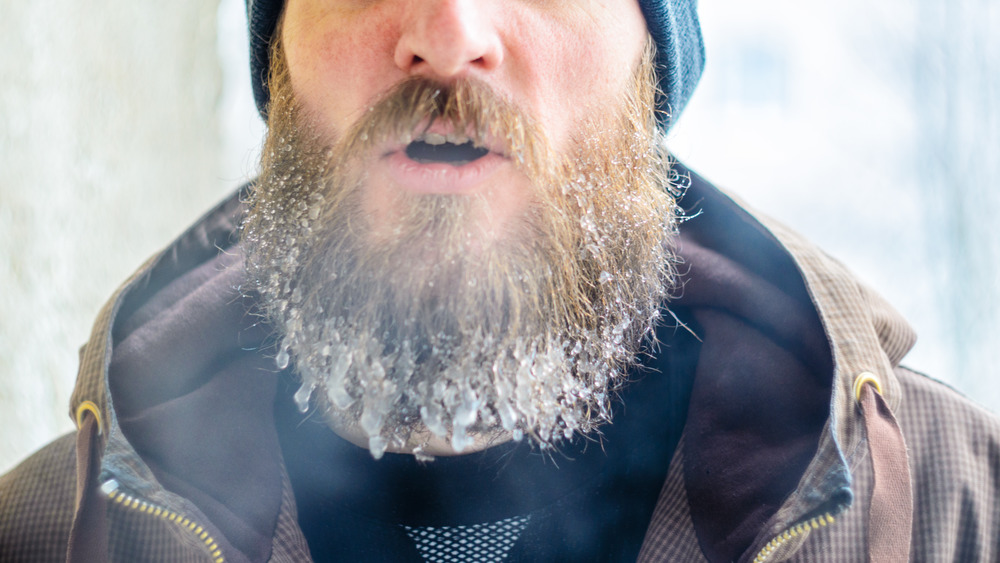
column 487, row 543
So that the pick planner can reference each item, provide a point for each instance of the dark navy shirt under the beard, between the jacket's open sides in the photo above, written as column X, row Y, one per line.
column 589, row 500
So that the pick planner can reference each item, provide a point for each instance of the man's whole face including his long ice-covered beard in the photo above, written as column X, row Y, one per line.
column 461, row 227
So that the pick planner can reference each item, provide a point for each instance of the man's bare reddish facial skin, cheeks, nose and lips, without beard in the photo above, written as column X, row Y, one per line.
column 560, row 61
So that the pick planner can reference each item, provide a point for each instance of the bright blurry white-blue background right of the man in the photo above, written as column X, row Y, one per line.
column 873, row 128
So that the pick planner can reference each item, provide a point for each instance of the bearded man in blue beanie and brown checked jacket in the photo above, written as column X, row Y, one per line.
column 471, row 310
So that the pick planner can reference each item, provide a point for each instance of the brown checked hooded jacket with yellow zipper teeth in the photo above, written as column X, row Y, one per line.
column 177, row 457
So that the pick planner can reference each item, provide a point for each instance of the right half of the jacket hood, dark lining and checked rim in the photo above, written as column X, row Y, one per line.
column 773, row 428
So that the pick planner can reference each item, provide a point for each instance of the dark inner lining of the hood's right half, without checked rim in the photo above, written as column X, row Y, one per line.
column 762, row 386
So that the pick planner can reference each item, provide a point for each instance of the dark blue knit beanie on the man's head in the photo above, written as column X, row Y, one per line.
column 680, row 53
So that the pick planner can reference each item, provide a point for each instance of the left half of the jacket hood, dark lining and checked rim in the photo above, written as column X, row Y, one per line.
column 175, row 365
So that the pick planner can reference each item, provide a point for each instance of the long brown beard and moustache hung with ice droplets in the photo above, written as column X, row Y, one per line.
column 437, row 325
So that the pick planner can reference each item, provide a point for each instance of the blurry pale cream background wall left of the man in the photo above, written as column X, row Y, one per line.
column 109, row 145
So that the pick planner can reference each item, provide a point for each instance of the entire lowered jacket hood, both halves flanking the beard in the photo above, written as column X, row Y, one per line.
column 179, row 370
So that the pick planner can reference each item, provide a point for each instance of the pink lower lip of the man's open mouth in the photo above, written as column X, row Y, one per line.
column 439, row 177
